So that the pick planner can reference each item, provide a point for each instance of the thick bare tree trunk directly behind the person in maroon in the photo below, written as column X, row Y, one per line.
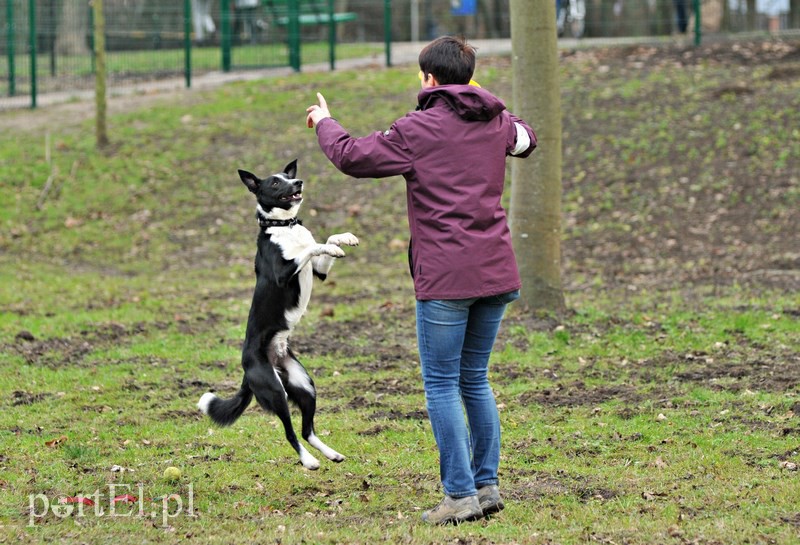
column 535, row 214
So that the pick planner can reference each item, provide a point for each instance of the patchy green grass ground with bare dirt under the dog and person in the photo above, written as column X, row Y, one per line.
column 661, row 409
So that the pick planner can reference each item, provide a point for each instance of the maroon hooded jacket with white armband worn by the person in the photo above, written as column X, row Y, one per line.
column 452, row 153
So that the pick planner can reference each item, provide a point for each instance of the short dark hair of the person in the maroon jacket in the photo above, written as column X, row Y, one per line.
column 450, row 59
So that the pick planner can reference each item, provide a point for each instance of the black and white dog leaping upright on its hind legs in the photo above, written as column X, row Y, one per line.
column 286, row 261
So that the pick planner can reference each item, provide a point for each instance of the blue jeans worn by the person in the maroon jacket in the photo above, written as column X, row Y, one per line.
column 455, row 340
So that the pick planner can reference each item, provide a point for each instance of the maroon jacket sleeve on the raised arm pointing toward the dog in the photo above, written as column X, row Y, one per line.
column 377, row 155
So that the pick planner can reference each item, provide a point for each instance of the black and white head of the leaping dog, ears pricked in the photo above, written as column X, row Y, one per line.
column 279, row 195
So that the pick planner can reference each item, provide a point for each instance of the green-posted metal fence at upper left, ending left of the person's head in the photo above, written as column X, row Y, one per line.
column 47, row 45
